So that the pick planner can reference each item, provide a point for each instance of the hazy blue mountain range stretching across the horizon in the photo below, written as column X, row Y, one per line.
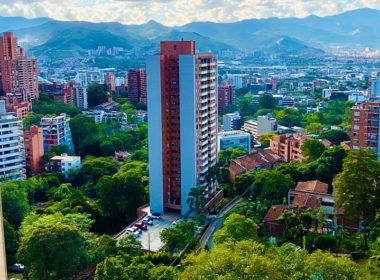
column 351, row 30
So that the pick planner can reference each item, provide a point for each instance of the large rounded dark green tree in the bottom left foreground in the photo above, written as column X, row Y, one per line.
column 52, row 252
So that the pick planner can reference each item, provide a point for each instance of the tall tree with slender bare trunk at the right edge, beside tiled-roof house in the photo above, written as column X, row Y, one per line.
column 357, row 187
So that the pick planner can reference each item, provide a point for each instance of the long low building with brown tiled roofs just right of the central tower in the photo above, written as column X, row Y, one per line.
column 255, row 161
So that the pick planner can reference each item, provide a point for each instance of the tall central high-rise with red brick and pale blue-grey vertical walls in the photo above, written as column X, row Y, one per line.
column 182, row 123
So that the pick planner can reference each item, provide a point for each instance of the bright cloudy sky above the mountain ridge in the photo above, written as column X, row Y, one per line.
column 176, row 12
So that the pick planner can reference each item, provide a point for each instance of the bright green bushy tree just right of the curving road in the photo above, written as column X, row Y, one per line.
column 236, row 228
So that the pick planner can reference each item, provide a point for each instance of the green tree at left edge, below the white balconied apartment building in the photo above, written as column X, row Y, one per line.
column 15, row 203
